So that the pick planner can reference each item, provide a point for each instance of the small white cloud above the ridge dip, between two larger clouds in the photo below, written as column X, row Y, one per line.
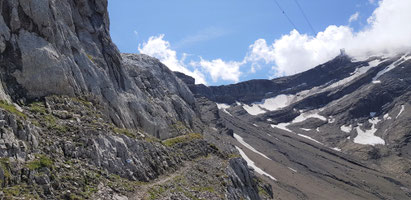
column 219, row 69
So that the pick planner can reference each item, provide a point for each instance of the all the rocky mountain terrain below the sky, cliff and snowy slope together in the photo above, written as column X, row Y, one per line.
column 80, row 120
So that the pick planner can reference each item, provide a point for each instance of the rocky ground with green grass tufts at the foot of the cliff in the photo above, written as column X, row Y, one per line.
column 63, row 148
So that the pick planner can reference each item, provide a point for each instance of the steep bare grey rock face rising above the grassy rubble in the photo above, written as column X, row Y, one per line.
column 63, row 47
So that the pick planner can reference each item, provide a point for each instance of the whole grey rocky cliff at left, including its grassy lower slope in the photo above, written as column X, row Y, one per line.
column 79, row 120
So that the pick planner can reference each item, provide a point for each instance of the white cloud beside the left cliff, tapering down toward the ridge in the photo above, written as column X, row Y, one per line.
column 160, row 49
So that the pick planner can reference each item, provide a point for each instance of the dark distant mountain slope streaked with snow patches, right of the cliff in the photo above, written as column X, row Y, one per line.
column 341, row 126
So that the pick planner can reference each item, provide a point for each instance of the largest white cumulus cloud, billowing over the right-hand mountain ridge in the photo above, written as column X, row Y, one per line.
column 387, row 32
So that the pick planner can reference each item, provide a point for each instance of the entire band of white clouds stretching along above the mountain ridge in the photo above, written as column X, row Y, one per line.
column 387, row 32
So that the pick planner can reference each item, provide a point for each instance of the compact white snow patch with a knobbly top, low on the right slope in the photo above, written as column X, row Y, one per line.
column 367, row 137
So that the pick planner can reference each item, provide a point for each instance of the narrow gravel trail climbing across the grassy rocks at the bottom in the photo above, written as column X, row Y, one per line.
column 141, row 193
